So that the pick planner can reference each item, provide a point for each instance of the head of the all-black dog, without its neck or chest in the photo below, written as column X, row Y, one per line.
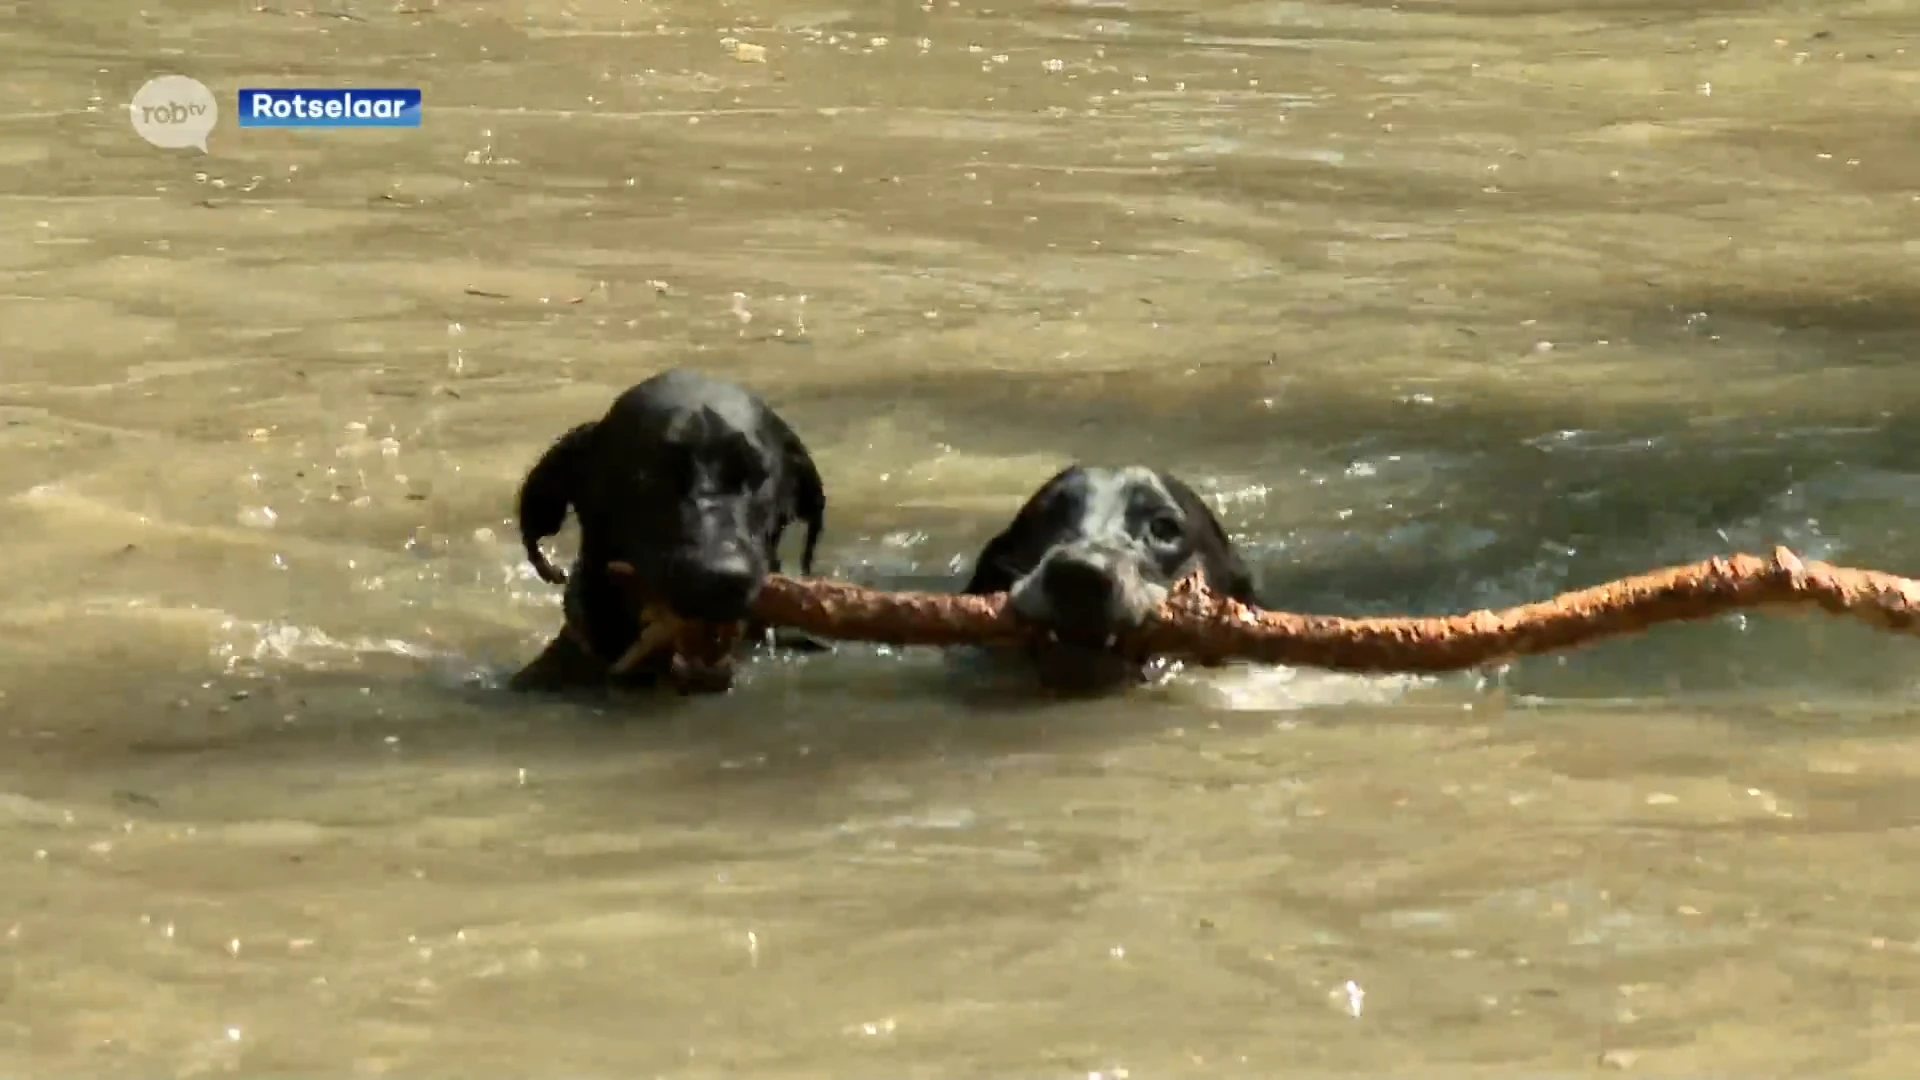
column 688, row 481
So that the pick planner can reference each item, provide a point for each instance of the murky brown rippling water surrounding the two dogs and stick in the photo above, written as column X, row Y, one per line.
column 1449, row 305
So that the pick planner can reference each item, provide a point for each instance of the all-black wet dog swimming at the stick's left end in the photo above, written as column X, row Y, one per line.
column 683, row 493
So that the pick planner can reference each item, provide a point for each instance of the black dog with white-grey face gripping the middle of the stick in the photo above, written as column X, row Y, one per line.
column 1093, row 554
